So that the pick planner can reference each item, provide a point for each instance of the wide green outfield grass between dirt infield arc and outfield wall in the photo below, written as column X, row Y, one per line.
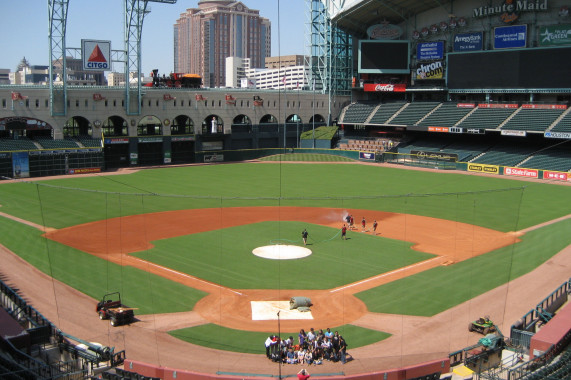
column 356, row 186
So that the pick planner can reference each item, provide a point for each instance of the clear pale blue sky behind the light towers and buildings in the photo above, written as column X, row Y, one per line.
column 24, row 25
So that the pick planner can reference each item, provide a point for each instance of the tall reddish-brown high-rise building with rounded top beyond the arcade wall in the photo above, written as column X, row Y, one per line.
column 205, row 36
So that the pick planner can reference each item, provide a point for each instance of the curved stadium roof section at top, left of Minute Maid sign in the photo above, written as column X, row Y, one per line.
column 354, row 17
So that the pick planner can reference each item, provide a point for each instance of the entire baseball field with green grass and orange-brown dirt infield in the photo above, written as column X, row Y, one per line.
column 178, row 244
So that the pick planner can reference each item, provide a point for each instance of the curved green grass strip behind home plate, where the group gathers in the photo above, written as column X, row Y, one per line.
column 222, row 338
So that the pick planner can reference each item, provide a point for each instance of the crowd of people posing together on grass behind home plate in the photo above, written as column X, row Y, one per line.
column 313, row 347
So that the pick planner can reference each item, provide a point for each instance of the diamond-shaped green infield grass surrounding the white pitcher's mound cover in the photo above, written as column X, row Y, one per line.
column 230, row 261
